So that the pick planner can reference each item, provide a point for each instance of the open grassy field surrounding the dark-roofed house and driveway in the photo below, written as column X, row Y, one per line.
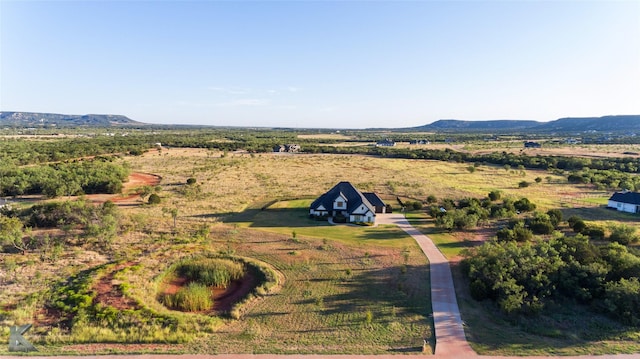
column 346, row 289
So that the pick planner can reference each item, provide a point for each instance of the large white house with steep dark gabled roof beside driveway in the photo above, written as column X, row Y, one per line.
column 345, row 203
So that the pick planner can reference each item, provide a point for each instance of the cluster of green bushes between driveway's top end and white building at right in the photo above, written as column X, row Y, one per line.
column 467, row 213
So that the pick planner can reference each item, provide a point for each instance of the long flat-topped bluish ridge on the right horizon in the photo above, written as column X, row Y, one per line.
column 620, row 123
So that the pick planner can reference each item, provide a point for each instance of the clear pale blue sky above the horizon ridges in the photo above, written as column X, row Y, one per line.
column 337, row 64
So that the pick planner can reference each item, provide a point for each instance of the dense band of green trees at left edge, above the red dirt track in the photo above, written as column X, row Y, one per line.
column 100, row 175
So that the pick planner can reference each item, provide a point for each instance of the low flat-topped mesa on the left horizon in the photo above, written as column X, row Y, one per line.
column 34, row 119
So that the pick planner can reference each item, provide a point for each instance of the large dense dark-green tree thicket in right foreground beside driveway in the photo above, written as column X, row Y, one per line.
column 525, row 278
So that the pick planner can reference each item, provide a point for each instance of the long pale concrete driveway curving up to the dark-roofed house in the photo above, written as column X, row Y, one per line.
column 449, row 332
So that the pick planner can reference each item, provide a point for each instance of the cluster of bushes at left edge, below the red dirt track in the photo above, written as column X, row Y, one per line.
column 100, row 223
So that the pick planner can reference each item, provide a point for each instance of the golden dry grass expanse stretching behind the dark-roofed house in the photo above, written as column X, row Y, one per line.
column 232, row 183
